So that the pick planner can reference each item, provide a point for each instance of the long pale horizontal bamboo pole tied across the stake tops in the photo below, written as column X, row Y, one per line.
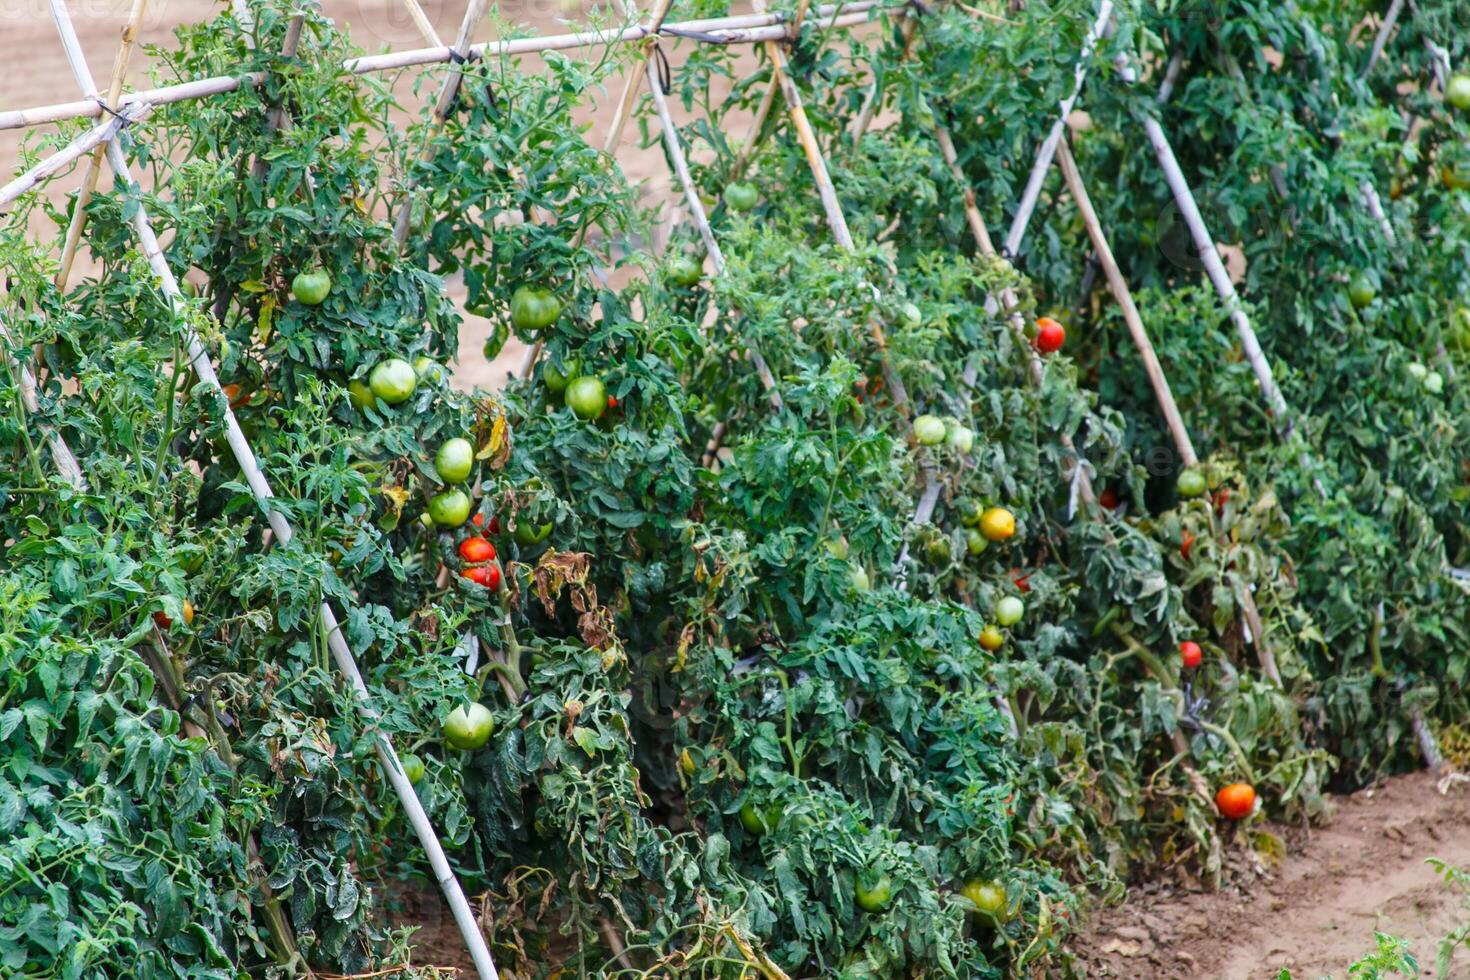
column 737, row 30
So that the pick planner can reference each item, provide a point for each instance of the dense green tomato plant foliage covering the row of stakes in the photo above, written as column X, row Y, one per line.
column 736, row 731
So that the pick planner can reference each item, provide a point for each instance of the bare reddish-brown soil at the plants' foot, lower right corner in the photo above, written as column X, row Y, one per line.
column 1316, row 912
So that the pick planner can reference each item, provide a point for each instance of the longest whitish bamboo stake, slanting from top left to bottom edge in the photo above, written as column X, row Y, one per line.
column 261, row 490
